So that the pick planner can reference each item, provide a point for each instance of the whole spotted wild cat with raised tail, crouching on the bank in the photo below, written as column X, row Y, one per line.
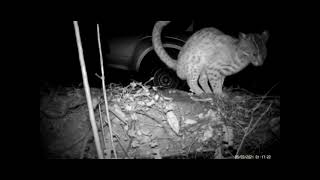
column 209, row 55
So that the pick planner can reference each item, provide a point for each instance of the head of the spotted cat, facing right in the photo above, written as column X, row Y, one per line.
column 254, row 47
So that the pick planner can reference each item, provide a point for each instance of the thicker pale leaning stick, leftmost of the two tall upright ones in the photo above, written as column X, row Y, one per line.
column 87, row 90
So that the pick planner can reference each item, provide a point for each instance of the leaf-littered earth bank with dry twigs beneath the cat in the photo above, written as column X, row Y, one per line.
column 151, row 123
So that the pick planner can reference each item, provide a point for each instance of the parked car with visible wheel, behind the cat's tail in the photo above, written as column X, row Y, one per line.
column 134, row 52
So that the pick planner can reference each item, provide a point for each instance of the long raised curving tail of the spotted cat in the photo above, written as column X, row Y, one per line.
column 158, row 47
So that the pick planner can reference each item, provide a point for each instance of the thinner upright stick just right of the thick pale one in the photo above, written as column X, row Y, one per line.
column 105, row 94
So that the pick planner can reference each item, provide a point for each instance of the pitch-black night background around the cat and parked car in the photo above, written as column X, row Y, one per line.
column 61, row 64
